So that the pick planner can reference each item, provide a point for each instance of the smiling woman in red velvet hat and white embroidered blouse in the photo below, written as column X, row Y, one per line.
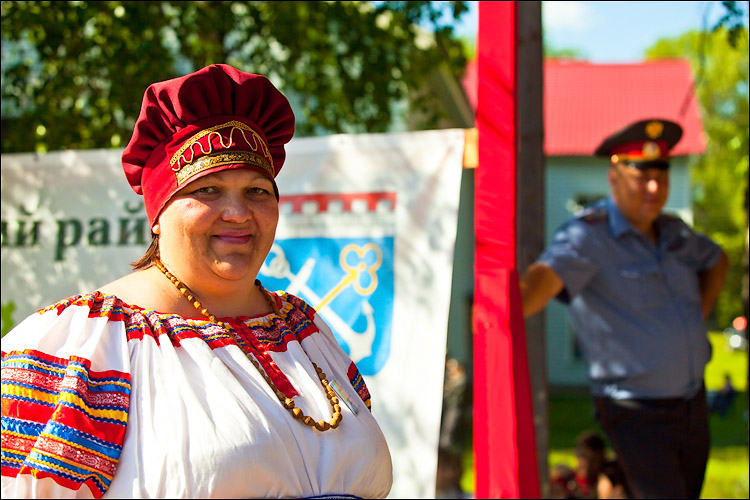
column 186, row 378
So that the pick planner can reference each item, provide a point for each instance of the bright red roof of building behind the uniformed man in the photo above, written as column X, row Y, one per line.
column 585, row 102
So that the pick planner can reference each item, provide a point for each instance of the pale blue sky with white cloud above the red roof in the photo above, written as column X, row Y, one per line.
column 615, row 32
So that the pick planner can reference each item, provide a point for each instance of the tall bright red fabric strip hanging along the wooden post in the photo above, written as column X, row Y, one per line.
column 504, row 441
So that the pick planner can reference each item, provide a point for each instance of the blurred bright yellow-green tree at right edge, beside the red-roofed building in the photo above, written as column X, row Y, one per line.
column 720, row 65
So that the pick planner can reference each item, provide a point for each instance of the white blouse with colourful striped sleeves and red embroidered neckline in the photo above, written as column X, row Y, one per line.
column 105, row 399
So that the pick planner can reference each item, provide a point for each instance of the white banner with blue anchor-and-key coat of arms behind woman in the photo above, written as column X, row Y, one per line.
column 366, row 236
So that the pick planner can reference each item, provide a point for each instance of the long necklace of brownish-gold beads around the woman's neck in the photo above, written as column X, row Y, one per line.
column 288, row 403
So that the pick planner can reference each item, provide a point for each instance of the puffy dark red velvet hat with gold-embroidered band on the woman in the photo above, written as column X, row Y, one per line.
column 215, row 119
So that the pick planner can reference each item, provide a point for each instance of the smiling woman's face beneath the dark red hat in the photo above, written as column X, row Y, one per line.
column 221, row 225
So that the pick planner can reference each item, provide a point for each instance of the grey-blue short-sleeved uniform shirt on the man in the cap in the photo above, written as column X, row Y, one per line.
column 634, row 305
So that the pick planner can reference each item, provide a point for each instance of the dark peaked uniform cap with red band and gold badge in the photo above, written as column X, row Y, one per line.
column 643, row 144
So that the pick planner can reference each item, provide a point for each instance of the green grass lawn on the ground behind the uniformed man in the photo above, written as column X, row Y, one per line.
column 571, row 412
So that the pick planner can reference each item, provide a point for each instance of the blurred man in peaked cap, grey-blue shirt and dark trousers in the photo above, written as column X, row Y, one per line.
column 639, row 284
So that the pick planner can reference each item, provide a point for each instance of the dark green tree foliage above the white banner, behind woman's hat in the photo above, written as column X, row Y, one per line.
column 74, row 72
